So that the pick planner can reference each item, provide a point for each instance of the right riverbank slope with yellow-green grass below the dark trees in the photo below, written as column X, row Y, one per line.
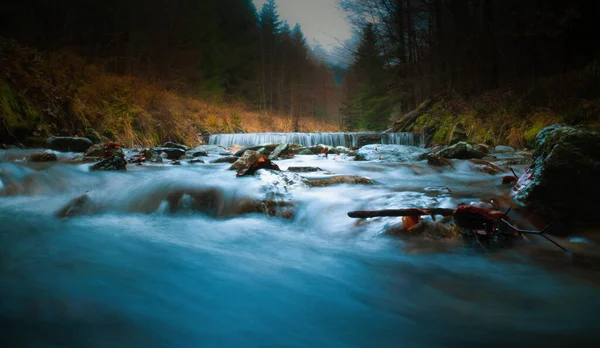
column 512, row 116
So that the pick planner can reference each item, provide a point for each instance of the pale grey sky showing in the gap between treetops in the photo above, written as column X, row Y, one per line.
column 320, row 20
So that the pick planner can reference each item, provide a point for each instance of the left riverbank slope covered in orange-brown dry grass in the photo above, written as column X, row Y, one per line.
column 43, row 94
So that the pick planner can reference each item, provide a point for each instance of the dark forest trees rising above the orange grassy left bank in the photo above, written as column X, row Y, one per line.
column 222, row 51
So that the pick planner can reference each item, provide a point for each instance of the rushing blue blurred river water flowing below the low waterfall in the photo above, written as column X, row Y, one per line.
column 134, row 274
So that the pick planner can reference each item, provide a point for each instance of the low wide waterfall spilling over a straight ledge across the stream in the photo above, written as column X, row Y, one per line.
column 356, row 139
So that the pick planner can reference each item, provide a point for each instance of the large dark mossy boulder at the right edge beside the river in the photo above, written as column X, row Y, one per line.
column 562, row 183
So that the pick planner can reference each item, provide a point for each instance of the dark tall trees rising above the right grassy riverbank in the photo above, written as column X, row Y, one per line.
column 430, row 47
